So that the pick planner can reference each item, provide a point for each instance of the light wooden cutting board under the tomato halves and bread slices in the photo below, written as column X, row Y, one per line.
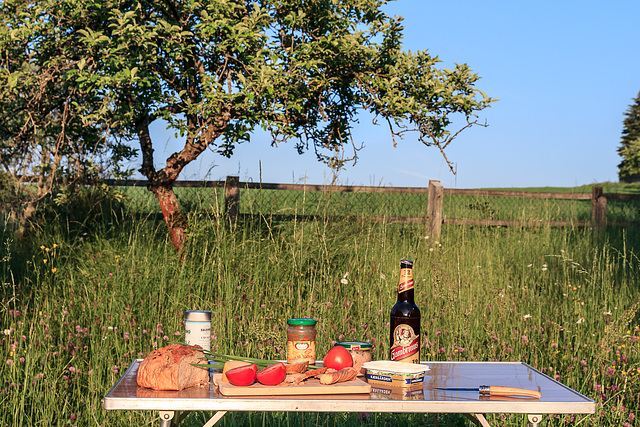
column 311, row 386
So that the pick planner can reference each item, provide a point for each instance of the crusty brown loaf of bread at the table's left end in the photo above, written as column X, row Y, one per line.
column 169, row 368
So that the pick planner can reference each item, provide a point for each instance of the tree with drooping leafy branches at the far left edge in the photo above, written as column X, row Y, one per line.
column 46, row 138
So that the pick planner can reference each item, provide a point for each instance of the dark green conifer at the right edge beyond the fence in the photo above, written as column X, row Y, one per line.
column 630, row 149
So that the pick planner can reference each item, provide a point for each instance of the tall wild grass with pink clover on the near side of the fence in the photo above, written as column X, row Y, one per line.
column 97, row 284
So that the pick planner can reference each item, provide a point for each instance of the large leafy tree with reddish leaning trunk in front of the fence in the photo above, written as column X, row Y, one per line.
column 215, row 70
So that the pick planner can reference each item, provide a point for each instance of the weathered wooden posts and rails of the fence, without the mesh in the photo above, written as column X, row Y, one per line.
column 434, row 216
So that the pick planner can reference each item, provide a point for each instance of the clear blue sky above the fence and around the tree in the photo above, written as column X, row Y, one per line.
column 564, row 71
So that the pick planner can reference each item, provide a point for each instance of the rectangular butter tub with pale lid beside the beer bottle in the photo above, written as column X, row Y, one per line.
column 386, row 374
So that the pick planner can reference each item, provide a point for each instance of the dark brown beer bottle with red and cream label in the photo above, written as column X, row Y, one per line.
column 405, row 319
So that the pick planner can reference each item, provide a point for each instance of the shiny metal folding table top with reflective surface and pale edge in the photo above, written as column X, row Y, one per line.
column 556, row 398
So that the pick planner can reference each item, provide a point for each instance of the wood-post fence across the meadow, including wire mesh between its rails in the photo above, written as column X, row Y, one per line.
column 434, row 205
